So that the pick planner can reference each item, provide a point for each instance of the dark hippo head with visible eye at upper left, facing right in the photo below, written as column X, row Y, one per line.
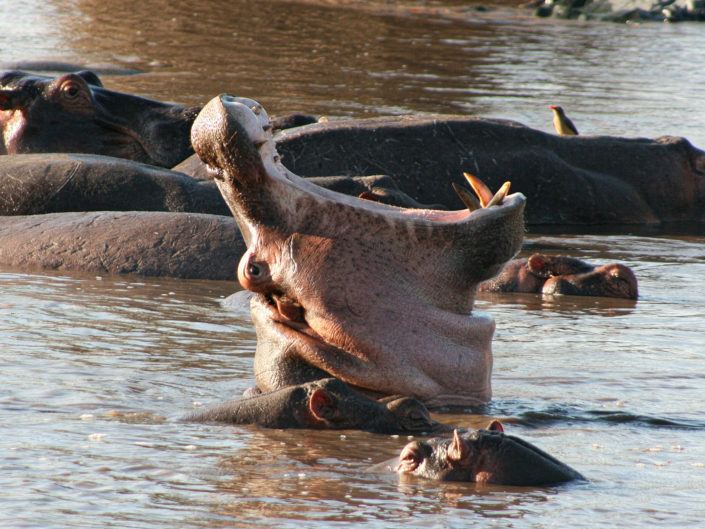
column 74, row 113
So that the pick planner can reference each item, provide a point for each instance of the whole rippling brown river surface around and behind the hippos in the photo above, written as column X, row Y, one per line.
column 97, row 370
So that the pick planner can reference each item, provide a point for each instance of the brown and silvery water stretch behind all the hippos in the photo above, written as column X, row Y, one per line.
column 370, row 58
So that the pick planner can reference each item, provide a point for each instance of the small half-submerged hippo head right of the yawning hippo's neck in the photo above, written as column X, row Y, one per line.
column 556, row 275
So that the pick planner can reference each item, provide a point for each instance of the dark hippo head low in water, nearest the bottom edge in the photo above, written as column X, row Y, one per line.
column 487, row 456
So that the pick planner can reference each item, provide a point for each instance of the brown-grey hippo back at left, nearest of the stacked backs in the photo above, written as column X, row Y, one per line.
column 187, row 245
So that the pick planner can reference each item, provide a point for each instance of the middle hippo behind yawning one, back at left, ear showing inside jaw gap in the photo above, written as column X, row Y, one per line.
column 56, row 182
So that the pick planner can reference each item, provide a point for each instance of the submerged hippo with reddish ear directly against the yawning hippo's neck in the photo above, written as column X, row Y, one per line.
column 326, row 404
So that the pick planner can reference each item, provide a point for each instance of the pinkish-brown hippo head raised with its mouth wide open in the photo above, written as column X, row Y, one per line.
column 378, row 296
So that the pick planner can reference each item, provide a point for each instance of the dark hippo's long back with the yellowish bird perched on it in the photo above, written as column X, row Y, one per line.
column 577, row 180
